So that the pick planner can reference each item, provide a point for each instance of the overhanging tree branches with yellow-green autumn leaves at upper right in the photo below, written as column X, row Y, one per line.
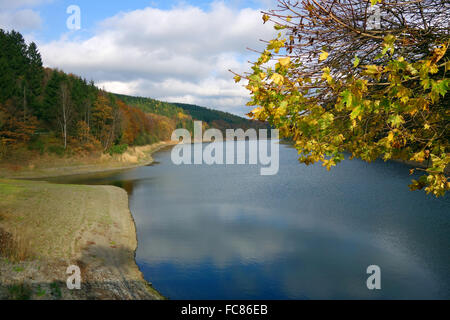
column 334, row 82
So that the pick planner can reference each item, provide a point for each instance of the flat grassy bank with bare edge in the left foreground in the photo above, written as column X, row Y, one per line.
column 44, row 228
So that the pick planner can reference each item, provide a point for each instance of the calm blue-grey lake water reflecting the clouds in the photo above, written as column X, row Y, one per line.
column 226, row 232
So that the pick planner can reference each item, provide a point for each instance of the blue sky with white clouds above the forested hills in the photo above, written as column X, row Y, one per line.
column 176, row 51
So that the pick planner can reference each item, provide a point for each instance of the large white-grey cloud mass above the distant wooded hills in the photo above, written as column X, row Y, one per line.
column 182, row 54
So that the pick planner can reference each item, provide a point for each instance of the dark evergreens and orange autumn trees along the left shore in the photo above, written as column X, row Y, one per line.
column 50, row 111
